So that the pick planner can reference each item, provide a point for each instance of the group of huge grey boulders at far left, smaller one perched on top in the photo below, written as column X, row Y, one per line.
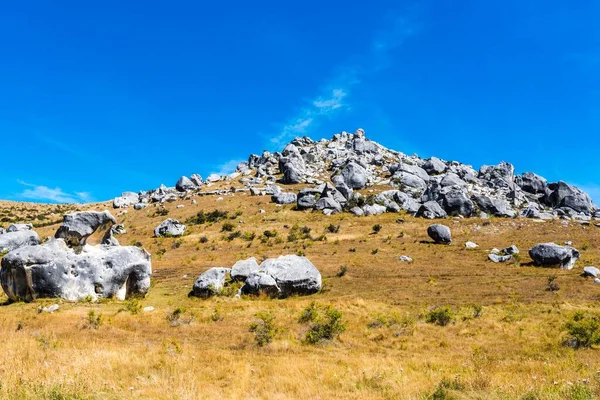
column 67, row 267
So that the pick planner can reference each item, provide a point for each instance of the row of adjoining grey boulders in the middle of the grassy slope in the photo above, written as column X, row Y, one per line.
column 276, row 277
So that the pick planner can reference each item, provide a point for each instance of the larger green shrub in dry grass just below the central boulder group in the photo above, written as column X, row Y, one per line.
column 324, row 323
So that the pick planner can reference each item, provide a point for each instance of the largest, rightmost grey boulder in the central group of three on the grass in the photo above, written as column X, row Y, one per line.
column 283, row 277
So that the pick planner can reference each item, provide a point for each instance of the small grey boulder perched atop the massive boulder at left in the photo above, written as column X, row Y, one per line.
column 77, row 227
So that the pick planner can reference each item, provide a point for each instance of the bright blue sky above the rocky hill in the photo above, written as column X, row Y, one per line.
column 102, row 97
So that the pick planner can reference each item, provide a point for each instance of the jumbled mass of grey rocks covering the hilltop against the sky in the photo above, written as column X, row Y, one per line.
column 331, row 174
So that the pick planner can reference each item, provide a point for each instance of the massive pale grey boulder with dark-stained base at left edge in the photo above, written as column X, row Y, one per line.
column 53, row 270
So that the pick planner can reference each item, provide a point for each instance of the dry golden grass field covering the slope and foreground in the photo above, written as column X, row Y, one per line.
column 503, row 340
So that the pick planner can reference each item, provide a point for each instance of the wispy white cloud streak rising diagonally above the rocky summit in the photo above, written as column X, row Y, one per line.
column 333, row 97
